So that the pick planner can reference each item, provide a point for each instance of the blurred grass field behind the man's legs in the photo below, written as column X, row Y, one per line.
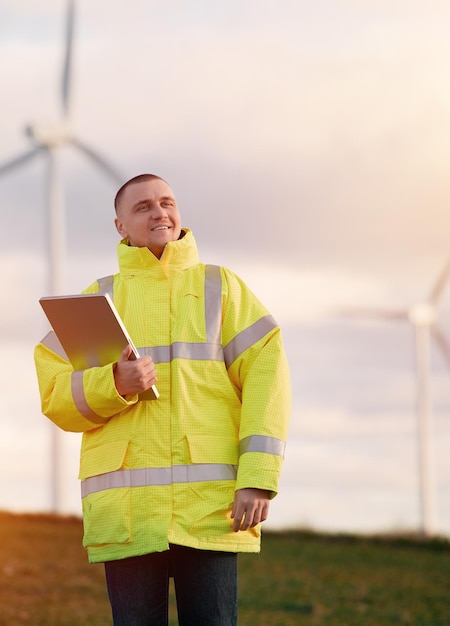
column 299, row 578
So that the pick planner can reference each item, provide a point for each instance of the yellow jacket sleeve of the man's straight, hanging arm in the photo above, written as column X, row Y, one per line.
column 258, row 368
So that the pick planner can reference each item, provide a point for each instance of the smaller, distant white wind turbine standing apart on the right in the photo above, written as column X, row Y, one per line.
column 424, row 320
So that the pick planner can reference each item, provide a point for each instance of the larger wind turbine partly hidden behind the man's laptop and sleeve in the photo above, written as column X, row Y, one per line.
column 47, row 139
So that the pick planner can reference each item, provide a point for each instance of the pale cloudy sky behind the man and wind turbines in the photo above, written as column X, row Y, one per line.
column 308, row 146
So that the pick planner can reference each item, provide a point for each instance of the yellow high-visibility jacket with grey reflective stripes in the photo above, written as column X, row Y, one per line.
column 162, row 471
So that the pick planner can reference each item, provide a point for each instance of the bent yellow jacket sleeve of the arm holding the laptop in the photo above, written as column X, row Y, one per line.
column 76, row 401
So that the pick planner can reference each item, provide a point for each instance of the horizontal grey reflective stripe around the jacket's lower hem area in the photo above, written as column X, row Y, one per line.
column 158, row 476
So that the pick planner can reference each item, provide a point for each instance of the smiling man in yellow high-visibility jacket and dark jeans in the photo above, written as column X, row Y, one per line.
column 174, row 486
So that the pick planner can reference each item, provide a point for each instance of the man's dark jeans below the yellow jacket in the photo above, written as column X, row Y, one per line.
column 205, row 587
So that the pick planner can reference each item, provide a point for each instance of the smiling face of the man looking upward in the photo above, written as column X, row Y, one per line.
column 148, row 215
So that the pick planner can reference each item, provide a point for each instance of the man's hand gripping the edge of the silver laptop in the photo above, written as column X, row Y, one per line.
column 133, row 376
